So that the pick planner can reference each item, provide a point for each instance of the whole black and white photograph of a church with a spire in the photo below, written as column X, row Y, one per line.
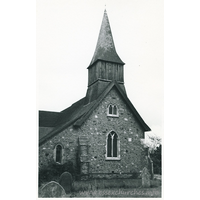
column 100, row 98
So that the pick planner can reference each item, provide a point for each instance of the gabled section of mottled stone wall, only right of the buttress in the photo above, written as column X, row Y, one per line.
column 99, row 125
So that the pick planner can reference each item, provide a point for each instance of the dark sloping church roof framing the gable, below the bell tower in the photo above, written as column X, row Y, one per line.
column 78, row 113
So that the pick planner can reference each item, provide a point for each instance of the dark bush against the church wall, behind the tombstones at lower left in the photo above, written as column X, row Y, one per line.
column 53, row 171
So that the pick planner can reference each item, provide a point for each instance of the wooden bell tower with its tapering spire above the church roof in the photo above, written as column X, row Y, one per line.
column 105, row 66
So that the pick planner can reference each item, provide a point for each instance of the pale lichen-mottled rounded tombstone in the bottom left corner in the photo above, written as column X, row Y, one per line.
column 52, row 189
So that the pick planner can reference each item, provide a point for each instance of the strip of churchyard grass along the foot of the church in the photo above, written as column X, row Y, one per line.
column 115, row 188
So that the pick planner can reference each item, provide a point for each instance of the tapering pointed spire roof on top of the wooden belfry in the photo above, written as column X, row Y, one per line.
column 105, row 48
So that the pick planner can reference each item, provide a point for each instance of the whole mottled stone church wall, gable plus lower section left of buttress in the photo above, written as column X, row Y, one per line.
column 96, row 128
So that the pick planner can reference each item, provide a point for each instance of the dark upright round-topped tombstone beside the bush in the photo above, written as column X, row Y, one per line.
column 66, row 182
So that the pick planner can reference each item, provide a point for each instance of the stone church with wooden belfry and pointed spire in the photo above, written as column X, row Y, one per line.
column 100, row 133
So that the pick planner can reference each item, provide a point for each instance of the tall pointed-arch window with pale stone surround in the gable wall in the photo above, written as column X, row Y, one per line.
column 112, row 146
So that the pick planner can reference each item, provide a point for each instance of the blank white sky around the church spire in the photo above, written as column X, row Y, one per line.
column 66, row 37
